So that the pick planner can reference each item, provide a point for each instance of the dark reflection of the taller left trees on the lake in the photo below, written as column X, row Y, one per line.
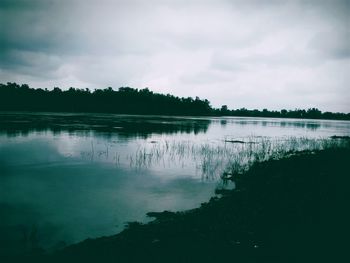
column 14, row 124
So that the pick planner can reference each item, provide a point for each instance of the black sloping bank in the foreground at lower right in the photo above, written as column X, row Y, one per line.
column 290, row 210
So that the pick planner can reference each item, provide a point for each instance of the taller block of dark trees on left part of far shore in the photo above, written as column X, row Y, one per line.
column 124, row 101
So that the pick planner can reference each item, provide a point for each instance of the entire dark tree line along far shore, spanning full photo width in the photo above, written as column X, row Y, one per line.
column 126, row 100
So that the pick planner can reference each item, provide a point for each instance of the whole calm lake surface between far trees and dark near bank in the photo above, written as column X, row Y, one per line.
column 67, row 177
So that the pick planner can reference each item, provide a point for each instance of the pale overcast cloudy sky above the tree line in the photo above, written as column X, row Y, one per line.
column 253, row 54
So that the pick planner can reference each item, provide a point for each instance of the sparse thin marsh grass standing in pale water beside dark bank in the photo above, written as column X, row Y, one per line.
column 213, row 159
